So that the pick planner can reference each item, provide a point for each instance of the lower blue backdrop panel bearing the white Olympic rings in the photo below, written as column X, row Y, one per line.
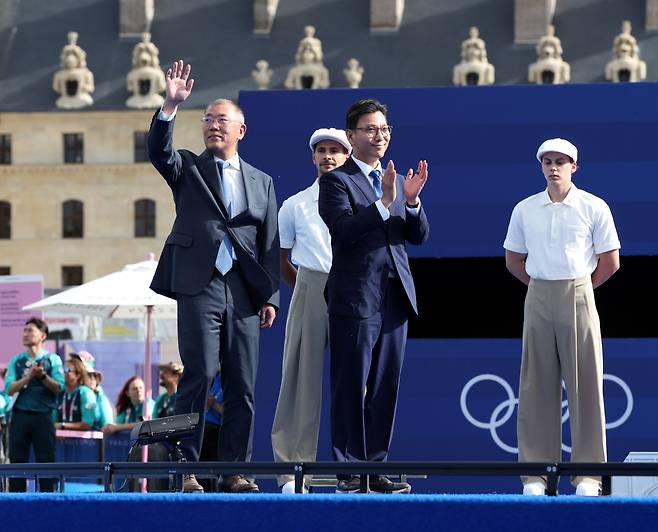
column 458, row 402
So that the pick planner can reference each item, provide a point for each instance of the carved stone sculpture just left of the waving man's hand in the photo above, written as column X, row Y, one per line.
column 146, row 80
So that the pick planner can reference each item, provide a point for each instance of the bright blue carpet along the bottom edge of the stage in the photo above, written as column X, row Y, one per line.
column 323, row 513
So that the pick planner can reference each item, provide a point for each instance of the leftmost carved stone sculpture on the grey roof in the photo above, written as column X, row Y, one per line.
column 74, row 82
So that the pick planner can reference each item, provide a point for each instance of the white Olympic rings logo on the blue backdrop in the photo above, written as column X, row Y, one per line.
column 504, row 410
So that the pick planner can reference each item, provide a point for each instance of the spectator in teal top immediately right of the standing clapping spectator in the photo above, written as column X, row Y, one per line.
column 77, row 403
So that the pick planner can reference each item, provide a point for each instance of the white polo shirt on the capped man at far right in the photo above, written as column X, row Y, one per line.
column 561, row 239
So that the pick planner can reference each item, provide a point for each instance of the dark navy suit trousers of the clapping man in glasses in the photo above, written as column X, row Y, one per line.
column 366, row 359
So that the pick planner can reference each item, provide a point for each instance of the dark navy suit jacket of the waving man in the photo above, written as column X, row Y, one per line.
column 188, row 259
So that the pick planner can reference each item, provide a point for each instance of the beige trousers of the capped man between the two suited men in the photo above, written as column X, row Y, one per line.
column 297, row 418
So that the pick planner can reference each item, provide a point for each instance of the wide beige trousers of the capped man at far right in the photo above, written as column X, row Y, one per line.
column 561, row 342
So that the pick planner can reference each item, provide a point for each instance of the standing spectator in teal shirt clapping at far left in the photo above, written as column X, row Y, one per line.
column 36, row 377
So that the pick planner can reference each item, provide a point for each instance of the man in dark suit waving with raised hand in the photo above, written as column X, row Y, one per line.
column 221, row 263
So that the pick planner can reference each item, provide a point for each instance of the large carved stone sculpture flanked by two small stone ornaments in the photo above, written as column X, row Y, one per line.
column 309, row 72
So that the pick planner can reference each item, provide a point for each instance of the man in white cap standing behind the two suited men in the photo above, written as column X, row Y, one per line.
column 305, row 241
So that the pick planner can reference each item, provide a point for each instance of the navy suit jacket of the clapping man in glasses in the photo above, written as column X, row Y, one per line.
column 364, row 246
